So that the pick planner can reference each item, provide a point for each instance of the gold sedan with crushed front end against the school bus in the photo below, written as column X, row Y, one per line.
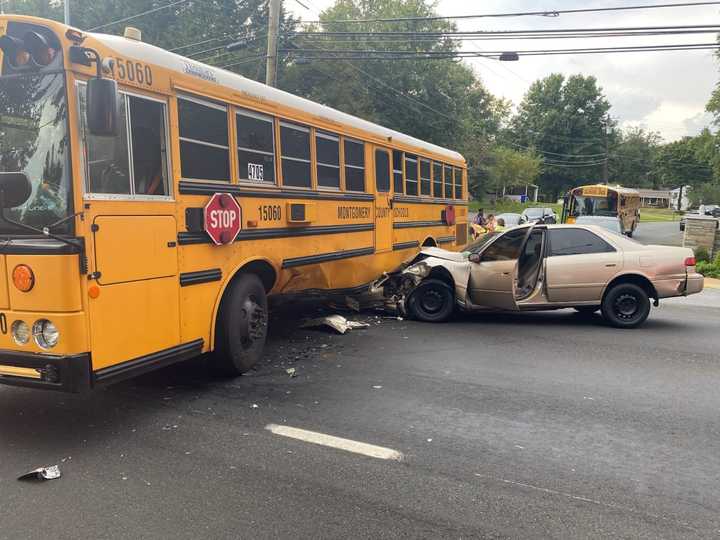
column 543, row 267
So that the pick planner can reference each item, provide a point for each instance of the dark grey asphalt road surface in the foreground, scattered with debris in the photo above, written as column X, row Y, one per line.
column 533, row 425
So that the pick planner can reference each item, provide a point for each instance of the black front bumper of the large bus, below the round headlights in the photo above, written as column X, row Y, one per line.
column 64, row 373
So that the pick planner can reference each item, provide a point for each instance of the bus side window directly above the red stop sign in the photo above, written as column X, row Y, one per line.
column 204, row 148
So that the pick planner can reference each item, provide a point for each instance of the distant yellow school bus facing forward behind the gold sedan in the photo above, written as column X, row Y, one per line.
column 603, row 200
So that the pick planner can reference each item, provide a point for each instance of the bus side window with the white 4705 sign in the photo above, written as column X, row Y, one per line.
column 256, row 147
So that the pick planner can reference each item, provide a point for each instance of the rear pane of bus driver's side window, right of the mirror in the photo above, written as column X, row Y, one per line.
column 149, row 145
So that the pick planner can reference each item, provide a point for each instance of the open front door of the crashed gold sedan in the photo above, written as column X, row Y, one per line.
column 507, row 269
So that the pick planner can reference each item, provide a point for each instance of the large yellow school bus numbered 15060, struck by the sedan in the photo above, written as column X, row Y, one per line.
column 110, row 150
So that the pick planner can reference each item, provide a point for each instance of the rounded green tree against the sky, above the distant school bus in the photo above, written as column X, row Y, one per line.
column 566, row 120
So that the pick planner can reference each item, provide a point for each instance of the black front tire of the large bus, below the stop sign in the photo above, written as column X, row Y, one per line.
column 242, row 327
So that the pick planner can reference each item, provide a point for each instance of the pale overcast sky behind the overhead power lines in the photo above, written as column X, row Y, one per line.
column 662, row 91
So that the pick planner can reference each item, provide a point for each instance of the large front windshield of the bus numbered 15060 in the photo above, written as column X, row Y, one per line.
column 34, row 140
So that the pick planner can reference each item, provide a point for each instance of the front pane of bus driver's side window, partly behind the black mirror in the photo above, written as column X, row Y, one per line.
column 107, row 158
